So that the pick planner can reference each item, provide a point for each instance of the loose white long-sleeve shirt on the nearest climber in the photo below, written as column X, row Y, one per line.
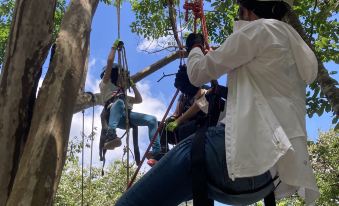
column 268, row 66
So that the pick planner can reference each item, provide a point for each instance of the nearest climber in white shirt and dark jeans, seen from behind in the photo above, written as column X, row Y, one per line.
column 263, row 134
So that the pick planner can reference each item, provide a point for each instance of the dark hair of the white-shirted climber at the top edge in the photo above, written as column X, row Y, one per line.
column 266, row 9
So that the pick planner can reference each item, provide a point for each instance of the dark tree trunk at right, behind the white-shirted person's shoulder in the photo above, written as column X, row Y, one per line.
column 327, row 84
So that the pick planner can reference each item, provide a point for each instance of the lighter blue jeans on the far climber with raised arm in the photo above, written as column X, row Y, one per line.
column 117, row 119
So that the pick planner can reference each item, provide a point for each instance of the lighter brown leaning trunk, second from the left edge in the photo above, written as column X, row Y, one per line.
column 45, row 152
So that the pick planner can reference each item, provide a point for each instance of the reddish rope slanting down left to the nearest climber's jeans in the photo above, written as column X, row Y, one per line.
column 153, row 139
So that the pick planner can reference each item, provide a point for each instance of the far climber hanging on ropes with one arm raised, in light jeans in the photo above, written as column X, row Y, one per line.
column 111, row 88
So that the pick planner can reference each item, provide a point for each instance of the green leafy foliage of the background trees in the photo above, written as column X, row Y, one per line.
column 320, row 21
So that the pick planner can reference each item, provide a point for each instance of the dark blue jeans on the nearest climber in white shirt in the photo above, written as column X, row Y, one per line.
column 169, row 182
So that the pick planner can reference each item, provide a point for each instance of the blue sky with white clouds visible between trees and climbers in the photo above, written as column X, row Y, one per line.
column 156, row 95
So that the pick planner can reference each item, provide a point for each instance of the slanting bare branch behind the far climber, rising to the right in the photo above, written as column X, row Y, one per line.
column 84, row 100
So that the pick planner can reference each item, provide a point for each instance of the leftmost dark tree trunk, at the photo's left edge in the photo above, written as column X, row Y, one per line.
column 28, row 44
